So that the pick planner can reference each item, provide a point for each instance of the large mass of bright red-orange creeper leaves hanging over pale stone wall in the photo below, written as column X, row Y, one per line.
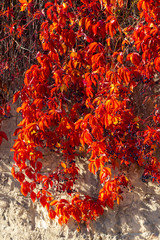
column 78, row 99
